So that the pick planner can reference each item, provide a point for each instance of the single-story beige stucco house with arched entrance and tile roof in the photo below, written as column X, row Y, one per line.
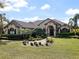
column 50, row 26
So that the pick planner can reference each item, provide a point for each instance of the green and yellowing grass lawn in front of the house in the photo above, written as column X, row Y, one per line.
column 61, row 49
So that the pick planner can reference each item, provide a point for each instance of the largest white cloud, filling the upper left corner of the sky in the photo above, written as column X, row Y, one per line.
column 14, row 5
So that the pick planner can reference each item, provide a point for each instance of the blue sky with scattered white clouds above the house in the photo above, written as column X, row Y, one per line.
column 32, row 10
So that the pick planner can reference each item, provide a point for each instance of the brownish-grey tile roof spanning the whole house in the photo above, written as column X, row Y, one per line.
column 33, row 24
